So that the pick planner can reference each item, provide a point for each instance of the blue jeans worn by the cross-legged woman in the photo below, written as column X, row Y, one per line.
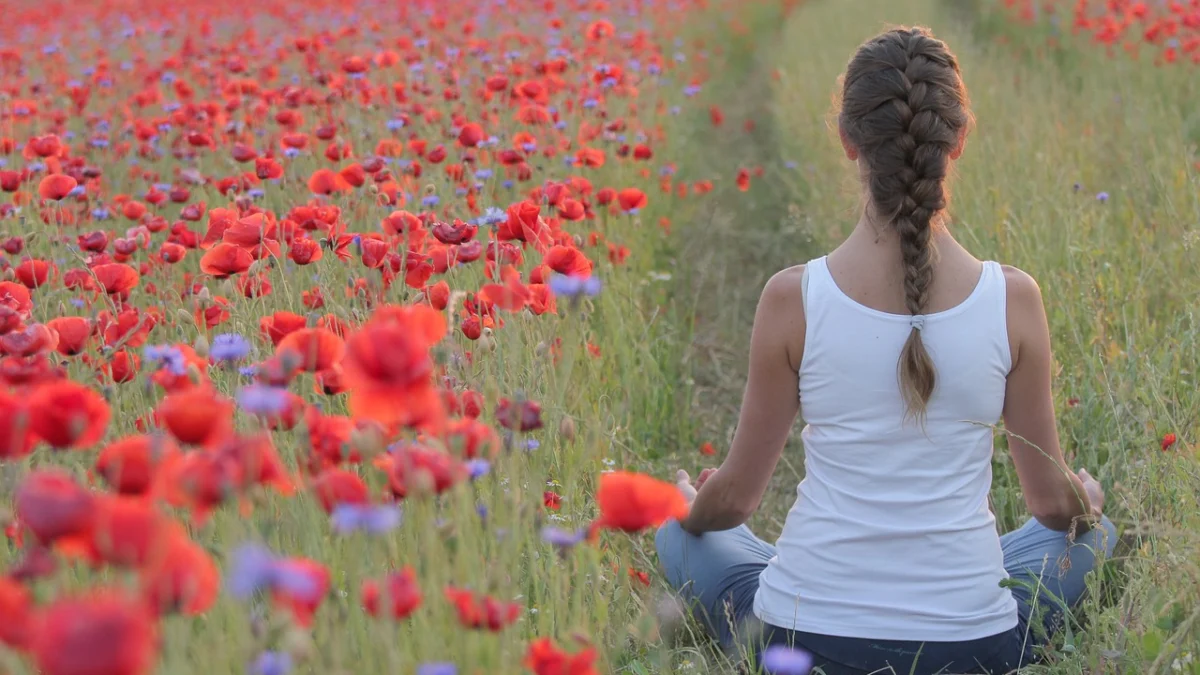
column 718, row 575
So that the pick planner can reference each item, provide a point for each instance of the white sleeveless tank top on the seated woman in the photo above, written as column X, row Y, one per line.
column 892, row 536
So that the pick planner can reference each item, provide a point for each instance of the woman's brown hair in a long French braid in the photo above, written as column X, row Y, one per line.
column 904, row 109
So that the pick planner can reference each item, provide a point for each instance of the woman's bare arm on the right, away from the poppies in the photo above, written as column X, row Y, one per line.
column 1054, row 494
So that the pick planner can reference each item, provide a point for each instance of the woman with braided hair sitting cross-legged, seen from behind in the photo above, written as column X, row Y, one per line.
column 905, row 350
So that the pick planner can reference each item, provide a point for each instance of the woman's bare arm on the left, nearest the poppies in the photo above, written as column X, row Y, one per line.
column 769, row 410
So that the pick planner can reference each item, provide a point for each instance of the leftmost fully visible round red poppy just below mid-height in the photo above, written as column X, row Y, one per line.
column 68, row 415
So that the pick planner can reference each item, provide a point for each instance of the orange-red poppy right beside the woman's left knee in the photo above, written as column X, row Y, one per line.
column 634, row 501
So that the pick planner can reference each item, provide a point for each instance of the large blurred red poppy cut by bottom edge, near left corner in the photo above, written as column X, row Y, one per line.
column 103, row 634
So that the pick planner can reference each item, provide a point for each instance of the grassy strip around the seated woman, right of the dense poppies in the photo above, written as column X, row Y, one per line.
column 1118, row 273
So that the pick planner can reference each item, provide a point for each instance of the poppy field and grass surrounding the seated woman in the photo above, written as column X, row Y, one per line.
column 334, row 336
